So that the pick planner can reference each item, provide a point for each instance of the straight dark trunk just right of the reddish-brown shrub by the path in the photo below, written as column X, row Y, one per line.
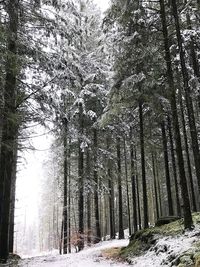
column 96, row 191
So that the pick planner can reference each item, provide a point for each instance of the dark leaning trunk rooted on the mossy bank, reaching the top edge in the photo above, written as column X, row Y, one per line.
column 183, row 182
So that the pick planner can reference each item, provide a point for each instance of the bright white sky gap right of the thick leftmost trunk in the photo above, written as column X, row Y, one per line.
column 29, row 176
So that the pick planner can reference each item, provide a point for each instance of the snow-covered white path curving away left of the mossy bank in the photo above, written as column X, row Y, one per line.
column 90, row 257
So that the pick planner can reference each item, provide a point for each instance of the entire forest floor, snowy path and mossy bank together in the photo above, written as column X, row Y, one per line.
column 167, row 246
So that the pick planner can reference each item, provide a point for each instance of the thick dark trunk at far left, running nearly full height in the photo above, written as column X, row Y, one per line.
column 9, row 129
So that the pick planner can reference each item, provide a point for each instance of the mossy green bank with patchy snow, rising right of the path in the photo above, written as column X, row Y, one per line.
column 167, row 245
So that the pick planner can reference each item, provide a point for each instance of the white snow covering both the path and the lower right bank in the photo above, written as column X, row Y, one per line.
column 161, row 254
